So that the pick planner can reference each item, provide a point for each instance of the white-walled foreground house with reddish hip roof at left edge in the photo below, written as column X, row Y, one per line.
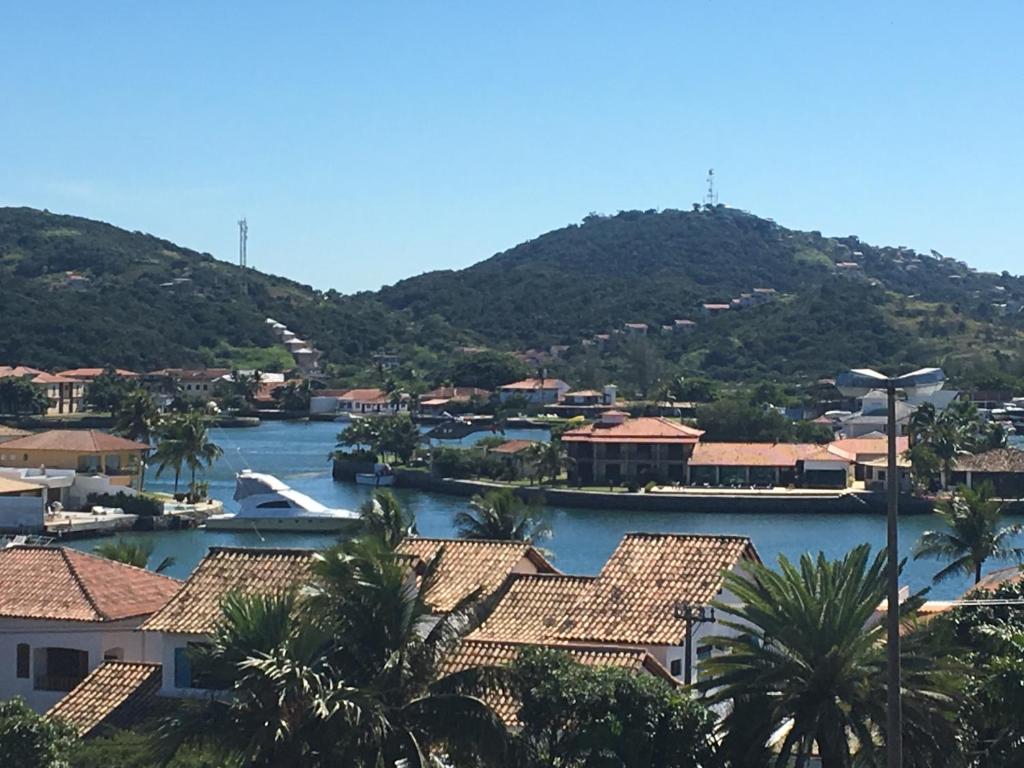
column 63, row 613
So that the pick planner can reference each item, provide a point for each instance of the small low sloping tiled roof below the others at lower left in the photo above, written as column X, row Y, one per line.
column 108, row 691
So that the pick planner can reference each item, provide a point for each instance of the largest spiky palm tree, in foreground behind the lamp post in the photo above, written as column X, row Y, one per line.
column 807, row 657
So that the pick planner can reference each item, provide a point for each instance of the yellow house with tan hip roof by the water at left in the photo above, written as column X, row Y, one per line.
column 86, row 451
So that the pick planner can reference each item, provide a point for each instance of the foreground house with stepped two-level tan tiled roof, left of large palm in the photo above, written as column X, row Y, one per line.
column 639, row 601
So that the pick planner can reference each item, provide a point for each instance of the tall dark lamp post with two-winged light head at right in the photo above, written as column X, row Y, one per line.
column 858, row 383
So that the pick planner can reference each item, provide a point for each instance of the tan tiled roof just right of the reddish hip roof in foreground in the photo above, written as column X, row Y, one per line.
column 196, row 608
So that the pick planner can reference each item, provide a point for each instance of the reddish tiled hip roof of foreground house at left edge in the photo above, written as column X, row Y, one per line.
column 63, row 584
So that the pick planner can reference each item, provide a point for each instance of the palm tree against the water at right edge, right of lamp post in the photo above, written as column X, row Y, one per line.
column 973, row 534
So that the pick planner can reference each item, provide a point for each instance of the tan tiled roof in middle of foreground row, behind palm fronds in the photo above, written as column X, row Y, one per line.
column 470, row 565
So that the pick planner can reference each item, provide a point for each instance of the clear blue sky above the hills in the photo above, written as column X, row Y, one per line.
column 371, row 142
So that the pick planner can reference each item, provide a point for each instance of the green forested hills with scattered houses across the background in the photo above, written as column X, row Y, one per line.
column 146, row 303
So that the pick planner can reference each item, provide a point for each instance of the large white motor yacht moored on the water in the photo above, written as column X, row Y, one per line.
column 268, row 504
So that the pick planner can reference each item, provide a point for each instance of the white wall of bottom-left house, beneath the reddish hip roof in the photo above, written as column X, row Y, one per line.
column 94, row 637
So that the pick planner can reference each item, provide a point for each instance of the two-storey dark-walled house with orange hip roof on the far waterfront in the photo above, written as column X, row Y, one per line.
column 619, row 449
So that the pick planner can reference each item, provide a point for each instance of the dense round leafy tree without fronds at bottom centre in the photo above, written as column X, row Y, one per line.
column 575, row 716
